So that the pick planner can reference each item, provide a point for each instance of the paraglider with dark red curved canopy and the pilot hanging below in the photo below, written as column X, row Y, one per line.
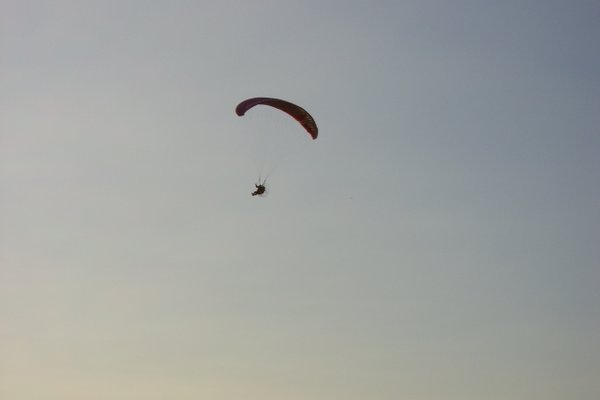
column 295, row 111
